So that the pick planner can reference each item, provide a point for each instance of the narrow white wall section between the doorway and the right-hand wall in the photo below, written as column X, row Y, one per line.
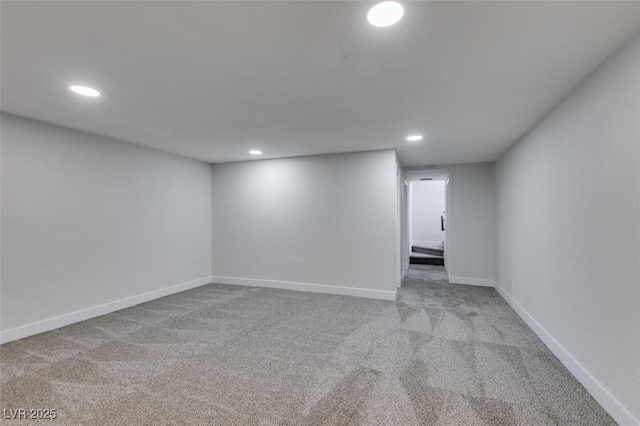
column 470, row 226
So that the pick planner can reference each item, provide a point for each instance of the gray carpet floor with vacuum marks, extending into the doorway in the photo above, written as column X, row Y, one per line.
column 441, row 354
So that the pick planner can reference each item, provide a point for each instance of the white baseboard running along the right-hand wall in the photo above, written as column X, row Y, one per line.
column 619, row 413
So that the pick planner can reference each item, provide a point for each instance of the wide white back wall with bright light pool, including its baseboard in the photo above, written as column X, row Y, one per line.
column 307, row 223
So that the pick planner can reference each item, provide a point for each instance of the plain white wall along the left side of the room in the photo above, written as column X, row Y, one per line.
column 88, row 220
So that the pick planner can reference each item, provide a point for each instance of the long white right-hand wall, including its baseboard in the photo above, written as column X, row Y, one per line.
column 569, row 231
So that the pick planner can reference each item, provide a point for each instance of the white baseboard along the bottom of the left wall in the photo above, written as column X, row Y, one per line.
column 95, row 311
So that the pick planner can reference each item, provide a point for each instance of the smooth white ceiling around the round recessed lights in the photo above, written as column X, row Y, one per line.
column 211, row 80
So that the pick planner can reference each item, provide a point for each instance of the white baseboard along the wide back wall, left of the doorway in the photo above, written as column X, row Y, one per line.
column 314, row 288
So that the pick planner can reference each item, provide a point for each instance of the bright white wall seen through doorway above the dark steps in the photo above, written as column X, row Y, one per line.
column 427, row 205
